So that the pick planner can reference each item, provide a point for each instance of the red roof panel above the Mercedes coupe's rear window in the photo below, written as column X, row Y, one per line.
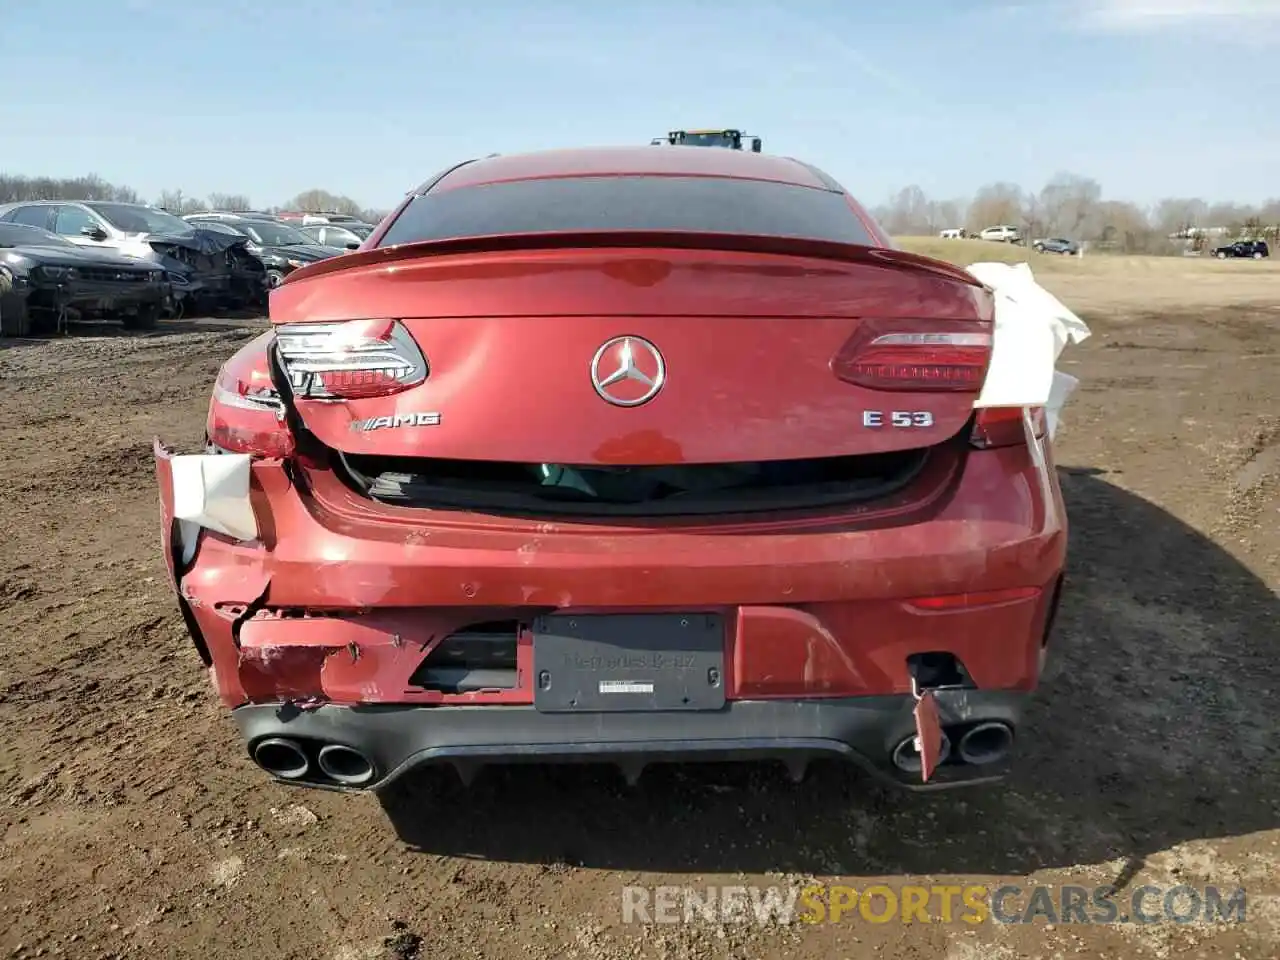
column 633, row 162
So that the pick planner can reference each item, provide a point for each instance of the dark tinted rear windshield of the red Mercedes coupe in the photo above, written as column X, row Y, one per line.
column 623, row 204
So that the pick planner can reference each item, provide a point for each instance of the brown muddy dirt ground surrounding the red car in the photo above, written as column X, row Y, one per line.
column 134, row 825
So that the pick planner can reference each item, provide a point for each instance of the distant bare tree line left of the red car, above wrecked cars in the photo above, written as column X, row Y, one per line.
column 176, row 202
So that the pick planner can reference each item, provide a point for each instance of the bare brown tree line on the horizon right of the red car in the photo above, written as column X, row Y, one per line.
column 1075, row 208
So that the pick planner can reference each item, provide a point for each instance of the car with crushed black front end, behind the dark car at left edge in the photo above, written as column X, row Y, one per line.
column 205, row 271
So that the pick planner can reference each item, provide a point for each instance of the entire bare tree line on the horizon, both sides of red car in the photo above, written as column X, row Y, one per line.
column 1069, row 207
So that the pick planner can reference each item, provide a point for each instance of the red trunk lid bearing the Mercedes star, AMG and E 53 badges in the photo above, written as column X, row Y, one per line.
column 747, row 340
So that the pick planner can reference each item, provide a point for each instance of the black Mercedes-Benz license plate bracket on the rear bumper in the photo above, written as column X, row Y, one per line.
column 629, row 662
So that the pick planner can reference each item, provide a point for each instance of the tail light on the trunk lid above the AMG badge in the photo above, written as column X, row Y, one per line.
column 350, row 360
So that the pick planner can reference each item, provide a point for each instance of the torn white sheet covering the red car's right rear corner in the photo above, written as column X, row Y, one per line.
column 1031, row 332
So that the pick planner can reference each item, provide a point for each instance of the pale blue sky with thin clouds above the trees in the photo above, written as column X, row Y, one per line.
column 369, row 98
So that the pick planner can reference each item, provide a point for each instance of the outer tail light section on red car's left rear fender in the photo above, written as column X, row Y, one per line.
column 246, row 414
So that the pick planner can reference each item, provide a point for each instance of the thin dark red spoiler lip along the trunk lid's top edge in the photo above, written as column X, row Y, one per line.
column 650, row 241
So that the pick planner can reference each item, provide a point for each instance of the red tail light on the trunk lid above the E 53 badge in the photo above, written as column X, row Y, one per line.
column 917, row 359
